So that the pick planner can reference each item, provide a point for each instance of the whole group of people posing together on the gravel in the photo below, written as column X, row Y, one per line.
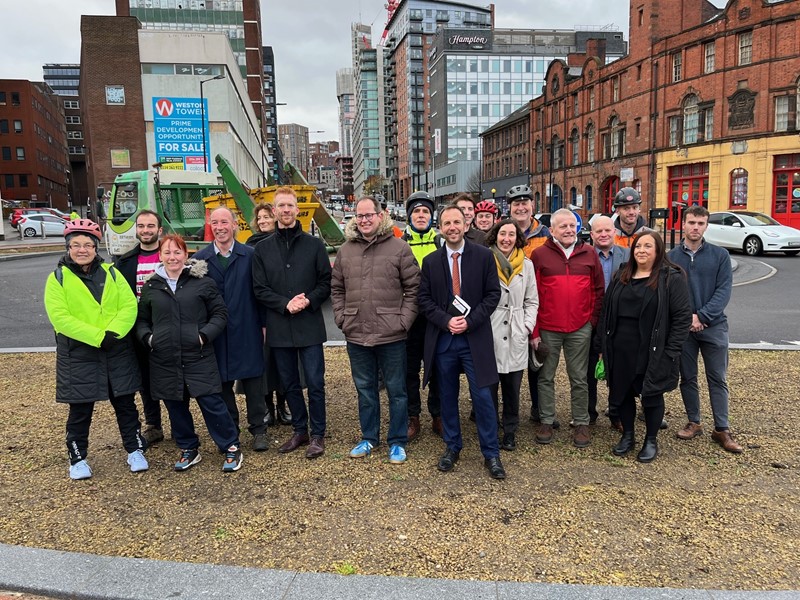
column 492, row 298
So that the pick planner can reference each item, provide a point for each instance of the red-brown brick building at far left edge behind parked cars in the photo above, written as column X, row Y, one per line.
column 33, row 145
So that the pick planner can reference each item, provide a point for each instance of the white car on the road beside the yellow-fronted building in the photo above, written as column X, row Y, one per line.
column 752, row 233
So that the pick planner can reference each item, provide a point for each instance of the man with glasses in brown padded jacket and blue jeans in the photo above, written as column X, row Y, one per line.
column 374, row 294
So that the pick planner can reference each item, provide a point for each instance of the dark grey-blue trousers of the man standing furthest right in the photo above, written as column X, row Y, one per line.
column 712, row 343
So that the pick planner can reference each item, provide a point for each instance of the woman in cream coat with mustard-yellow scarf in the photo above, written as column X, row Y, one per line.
column 512, row 321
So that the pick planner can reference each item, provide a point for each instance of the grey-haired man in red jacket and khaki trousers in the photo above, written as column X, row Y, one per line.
column 571, row 286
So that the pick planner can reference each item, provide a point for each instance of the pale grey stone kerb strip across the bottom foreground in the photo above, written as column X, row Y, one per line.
column 56, row 574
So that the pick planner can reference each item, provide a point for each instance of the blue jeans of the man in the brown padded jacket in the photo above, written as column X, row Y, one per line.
column 364, row 364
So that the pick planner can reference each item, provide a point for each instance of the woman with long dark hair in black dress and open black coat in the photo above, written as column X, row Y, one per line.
column 645, row 321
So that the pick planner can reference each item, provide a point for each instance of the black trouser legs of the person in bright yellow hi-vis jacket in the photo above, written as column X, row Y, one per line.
column 79, row 421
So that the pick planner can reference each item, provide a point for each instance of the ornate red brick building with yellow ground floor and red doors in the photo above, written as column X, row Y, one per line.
column 702, row 110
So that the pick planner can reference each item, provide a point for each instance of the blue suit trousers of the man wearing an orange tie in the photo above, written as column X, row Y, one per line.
column 450, row 360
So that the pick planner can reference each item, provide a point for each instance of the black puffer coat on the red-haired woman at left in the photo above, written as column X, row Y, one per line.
column 175, row 321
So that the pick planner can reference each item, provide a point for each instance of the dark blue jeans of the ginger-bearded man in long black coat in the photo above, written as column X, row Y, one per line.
column 313, row 361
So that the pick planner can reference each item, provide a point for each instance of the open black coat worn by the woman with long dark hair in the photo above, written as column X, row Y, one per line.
column 671, row 328
